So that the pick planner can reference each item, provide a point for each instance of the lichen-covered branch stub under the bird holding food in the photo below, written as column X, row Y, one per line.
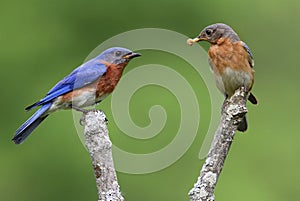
column 233, row 111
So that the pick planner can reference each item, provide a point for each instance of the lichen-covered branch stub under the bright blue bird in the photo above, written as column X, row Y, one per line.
column 100, row 149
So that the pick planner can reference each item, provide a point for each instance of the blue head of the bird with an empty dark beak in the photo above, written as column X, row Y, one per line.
column 117, row 55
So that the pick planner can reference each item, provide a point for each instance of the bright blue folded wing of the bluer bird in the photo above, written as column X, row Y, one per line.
column 80, row 77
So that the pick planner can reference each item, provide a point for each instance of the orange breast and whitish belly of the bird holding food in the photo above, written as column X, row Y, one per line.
column 229, row 61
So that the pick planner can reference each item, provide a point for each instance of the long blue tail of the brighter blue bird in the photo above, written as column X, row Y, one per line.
column 26, row 129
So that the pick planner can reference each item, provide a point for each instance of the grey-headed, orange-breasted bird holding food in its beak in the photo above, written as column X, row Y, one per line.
column 231, row 61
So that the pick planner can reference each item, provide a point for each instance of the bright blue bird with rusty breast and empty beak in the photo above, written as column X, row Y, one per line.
column 87, row 85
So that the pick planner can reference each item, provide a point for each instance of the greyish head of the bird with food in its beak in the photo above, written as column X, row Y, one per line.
column 214, row 32
